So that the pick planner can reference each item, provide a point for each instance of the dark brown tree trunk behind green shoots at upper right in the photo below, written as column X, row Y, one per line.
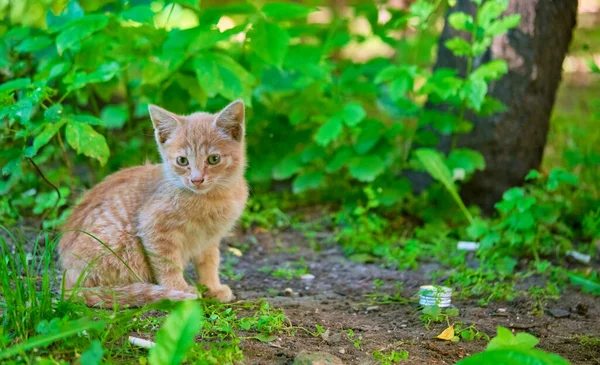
column 512, row 142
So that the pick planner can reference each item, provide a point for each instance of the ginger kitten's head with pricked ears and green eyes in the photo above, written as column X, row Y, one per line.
column 201, row 151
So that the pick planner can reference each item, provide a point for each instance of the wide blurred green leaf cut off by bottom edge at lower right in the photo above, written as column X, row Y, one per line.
column 521, row 357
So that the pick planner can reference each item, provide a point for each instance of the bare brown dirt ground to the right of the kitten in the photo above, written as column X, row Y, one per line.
column 335, row 300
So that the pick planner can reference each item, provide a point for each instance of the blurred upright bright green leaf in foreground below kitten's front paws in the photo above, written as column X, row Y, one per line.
column 176, row 336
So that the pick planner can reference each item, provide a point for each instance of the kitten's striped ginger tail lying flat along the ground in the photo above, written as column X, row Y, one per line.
column 133, row 295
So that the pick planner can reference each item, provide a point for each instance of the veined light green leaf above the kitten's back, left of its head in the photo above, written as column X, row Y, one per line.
column 84, row 139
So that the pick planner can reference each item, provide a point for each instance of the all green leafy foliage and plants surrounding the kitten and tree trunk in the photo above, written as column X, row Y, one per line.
column 336, row 116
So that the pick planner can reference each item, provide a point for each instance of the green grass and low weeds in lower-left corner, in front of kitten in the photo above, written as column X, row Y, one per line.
column 35, row 315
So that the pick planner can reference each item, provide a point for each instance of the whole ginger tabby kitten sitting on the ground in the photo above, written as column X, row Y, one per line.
column 158, row 218
